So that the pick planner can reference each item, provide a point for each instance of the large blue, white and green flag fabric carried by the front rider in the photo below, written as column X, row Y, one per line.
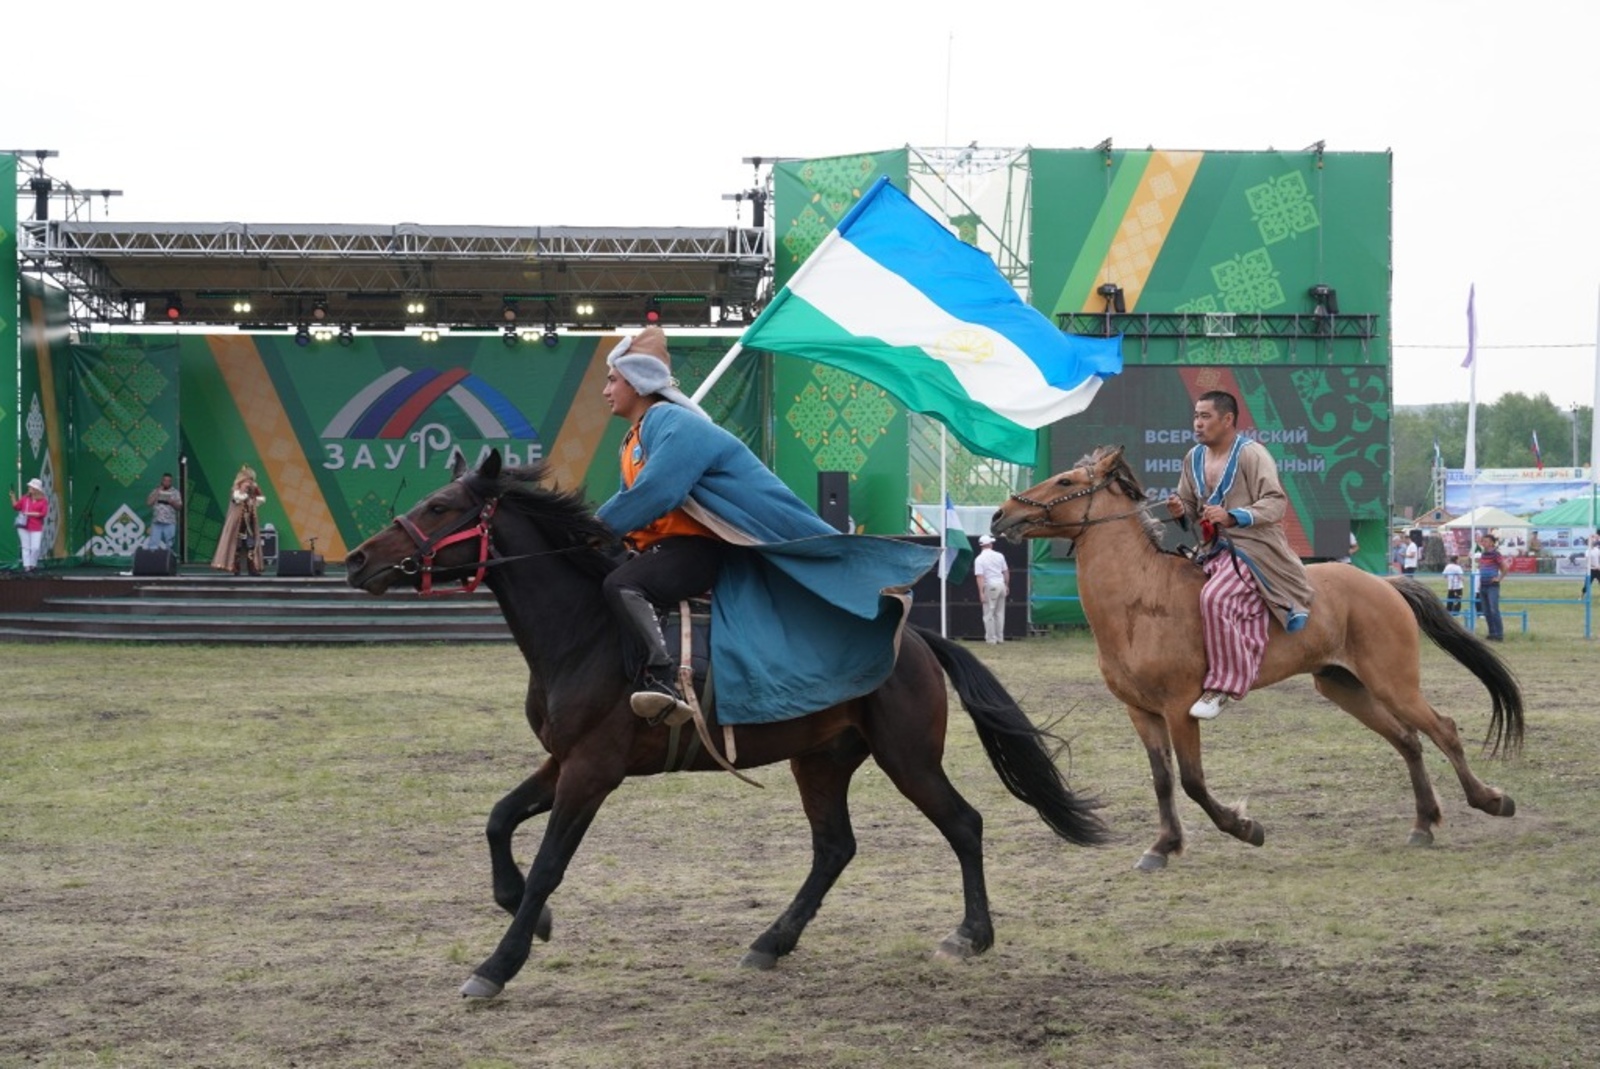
column 894, row 297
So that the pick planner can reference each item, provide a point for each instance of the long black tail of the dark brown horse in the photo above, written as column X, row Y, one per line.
column 1018, row 748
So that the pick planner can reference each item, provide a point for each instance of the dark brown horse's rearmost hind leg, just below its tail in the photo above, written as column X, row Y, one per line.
column 910, row 750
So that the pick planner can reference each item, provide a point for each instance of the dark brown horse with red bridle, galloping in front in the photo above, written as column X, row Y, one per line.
column 548, row 585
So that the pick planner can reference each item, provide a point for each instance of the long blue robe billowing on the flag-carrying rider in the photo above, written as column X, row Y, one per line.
column 802, row 617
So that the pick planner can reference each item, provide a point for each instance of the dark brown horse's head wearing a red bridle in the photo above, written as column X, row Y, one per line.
column 444, row 537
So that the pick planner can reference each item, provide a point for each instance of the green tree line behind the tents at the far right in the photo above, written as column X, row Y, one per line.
column 1506, row 431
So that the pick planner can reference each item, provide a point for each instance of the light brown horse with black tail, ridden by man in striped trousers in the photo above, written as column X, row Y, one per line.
column 1361, row 647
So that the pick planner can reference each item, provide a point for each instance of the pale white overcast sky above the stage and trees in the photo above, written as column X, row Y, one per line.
column 633, row 114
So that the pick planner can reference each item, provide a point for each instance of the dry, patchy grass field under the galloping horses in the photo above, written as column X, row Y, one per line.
column 273, row 857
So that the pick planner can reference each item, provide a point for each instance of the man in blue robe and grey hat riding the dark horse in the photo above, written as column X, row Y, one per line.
column 703, row 514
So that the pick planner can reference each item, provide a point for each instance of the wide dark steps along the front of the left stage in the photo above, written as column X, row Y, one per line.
column 218, row 609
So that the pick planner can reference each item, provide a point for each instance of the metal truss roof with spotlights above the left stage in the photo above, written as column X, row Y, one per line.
column 126, row 273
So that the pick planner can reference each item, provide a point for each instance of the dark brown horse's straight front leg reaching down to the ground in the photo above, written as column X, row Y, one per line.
column 580, row 791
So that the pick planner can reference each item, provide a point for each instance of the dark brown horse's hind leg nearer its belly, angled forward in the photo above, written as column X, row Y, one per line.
column 825, row 787
